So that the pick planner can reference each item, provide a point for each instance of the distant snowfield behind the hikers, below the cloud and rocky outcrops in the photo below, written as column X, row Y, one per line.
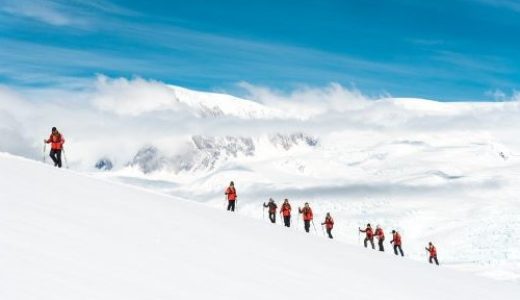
column 452, row 188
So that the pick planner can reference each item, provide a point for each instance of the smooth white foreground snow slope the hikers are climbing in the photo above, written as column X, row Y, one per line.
column 64, row 235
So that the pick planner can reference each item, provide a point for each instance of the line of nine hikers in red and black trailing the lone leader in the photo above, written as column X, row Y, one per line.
column 328, row 223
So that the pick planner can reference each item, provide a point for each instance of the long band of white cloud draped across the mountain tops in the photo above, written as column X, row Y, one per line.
column 114, row 117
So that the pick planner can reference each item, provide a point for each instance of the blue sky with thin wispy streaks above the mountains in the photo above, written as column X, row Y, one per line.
column 444, row 50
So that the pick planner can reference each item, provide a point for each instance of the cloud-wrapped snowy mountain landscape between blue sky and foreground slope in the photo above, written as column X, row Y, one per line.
column 442, row 172
